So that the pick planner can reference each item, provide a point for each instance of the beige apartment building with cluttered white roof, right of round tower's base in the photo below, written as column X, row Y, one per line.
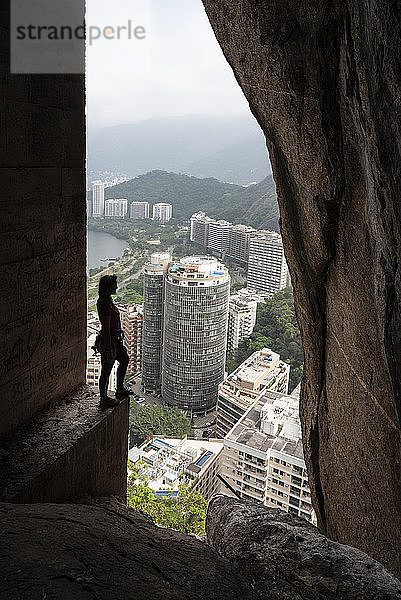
column 263, row 370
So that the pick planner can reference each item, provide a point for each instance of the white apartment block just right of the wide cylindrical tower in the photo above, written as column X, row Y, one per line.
column 241, row 319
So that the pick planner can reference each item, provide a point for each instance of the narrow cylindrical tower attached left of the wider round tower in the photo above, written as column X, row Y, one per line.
column 153, row 285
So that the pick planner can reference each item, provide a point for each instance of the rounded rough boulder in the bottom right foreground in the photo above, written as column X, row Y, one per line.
column 288, row 559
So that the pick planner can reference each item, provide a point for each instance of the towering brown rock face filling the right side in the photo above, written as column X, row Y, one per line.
column 322, row 79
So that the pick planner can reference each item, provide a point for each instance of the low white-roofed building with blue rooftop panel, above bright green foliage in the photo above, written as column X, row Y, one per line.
column 170, row 462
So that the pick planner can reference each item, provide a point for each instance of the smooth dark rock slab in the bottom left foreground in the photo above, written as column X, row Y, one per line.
column 77, row 552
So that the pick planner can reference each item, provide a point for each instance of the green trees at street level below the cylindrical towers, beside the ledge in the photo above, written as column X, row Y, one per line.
column 148, row 420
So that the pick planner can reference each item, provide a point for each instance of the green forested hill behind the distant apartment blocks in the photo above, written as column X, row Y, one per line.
column 254, row 205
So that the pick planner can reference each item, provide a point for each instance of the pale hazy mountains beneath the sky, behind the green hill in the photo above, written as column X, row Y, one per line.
column 227, row 148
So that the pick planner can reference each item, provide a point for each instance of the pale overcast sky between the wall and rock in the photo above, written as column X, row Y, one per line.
column 178, row 69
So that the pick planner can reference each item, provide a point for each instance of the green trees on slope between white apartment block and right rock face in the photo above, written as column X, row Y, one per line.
column 276, row 328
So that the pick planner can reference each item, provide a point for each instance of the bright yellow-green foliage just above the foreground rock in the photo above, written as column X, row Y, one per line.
column 185, row 512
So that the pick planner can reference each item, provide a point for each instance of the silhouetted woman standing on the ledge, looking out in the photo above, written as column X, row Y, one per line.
column 111, row 346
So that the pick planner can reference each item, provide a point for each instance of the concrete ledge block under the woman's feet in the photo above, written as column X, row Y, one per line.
column 73, row 450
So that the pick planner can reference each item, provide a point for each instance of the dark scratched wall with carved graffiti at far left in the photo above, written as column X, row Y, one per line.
column 42, row 226
